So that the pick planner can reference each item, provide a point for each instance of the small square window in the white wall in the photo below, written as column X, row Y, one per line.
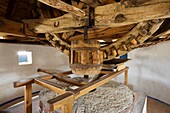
column 24, row 58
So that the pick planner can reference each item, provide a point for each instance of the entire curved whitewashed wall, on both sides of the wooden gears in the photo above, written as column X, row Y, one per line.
column 149, row 69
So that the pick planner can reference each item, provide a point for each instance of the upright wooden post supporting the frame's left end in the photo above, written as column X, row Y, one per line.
column 28, row 98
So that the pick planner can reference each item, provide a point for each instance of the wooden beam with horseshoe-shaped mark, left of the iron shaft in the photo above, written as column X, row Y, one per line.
column 60, row 24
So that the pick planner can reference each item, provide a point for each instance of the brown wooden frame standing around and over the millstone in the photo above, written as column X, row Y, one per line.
column 65, row 100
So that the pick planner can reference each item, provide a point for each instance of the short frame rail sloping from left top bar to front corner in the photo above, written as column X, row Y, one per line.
column 50, row 85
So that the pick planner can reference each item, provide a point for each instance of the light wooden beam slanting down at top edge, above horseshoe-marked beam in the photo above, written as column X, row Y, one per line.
column 58, row 4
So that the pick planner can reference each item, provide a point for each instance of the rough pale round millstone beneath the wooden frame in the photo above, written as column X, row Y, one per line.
column 110, row 98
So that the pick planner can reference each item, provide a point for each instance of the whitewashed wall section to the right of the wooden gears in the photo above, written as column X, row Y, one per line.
column 150, row 71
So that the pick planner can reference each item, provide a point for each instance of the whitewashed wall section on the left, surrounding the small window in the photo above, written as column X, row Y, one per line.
column 10, row 71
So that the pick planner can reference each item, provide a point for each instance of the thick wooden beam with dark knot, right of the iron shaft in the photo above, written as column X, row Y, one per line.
column 129, row 13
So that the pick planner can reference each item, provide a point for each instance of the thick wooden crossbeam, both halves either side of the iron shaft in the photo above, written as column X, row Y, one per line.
column 117, row 15
